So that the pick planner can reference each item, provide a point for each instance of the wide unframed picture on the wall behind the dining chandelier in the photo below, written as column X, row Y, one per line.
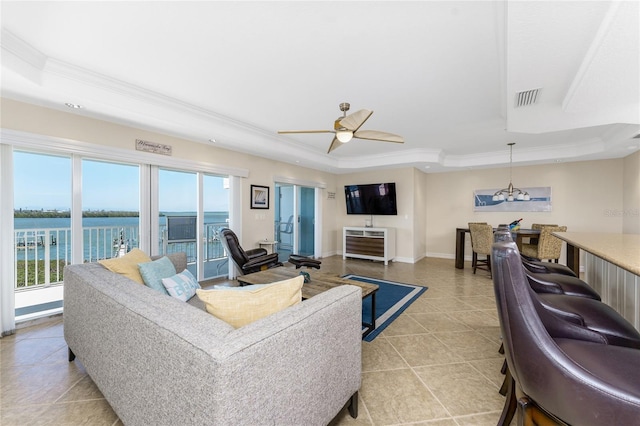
column 539, row 201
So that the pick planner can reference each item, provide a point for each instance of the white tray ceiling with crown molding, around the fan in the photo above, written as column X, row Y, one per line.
column 444, row 75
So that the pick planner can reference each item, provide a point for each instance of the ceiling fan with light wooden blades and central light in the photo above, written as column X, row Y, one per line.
column 348, row 126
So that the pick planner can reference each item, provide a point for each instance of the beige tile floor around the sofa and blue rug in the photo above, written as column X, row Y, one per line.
column 437, row 364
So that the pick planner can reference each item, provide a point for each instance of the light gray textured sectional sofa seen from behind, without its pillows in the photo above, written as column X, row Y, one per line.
column 160, row 361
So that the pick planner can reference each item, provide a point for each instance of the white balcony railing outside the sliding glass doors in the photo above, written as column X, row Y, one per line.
column 41, row 254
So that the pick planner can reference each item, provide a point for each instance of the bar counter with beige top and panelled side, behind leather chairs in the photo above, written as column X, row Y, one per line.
column 612, row 268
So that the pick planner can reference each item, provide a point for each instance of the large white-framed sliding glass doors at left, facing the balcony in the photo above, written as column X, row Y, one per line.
column 66, row 208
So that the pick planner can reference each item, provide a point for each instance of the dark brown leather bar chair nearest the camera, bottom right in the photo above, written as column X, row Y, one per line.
column 561, row 372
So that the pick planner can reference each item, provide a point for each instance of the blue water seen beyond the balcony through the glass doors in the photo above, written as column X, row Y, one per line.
column 102, row 236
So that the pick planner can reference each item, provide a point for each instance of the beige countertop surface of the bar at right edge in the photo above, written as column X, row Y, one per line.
column 622, row 250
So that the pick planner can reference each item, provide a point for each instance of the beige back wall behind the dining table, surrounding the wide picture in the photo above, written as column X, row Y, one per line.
column 583, row 196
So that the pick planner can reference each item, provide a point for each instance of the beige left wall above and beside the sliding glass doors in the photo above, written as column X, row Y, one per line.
column 256, row 224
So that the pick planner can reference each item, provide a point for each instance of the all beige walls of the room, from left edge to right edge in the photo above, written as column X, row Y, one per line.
column 600, row 196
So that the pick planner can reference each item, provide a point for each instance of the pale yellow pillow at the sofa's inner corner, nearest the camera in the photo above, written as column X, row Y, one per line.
column 240, row 306
